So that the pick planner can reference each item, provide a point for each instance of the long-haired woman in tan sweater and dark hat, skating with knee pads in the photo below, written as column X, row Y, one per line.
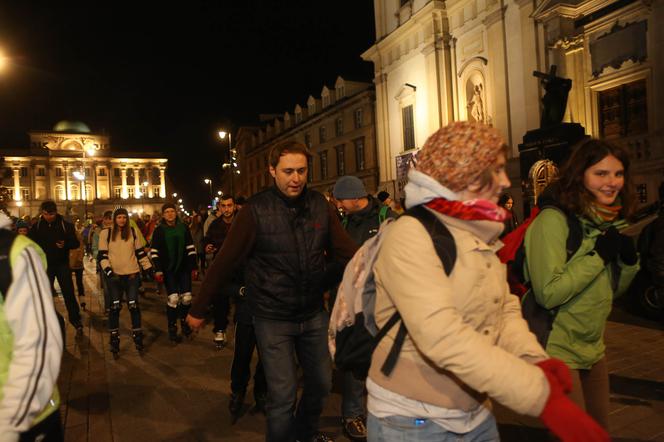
column 121, row 257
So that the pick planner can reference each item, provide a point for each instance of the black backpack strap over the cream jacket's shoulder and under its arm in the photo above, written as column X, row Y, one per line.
column 443, row 242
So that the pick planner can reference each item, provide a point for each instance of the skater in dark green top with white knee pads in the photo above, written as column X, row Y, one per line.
column 174, row 256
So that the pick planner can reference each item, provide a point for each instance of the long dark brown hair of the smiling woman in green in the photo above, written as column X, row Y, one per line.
column 570, row 189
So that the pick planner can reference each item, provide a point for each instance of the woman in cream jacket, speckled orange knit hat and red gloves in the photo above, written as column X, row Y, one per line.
column 466, row 339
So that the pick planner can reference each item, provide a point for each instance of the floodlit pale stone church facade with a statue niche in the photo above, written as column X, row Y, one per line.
column 441, row 61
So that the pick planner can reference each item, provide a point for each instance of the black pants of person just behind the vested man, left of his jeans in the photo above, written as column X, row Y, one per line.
column 245, row 343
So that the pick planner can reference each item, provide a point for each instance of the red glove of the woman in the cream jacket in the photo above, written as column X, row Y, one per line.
column 562, row 416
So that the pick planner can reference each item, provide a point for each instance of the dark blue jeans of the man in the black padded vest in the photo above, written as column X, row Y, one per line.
column 279, row 343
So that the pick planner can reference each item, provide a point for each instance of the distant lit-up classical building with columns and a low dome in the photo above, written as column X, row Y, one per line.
column 79, row 171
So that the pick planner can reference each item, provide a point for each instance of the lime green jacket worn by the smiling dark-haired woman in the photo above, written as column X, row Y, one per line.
column 583, row 287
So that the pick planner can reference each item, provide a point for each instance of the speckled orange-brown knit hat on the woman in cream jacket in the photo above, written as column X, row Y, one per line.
column 457, row 154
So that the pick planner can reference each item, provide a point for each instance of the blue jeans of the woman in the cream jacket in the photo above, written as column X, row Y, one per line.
column 410, row 429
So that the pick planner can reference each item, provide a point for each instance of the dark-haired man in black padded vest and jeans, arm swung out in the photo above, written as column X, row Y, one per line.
column 293, row 248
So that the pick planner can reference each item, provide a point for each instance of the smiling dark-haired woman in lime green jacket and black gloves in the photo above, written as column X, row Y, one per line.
column 594, row 186
